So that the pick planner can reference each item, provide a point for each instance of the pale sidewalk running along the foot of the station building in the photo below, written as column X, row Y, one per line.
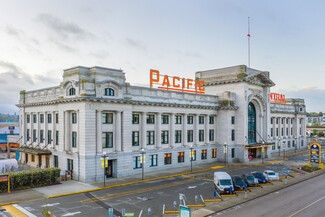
column 71, row 187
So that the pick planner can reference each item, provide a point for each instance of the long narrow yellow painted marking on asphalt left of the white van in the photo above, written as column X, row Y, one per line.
column 127, row 193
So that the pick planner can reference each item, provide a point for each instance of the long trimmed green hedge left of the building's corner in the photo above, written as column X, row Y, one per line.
column 31, row 178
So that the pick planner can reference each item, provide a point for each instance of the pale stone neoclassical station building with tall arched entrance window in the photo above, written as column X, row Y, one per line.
column 94, row 110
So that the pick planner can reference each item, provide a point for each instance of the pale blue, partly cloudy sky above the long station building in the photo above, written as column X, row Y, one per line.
column 39, row 39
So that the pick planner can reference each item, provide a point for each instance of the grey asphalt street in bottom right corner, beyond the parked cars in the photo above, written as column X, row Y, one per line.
column 303, row 199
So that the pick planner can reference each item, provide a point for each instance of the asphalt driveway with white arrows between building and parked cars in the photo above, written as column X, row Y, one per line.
column 141, row 196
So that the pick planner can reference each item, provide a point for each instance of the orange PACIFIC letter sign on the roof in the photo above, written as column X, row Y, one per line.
column 176, row 83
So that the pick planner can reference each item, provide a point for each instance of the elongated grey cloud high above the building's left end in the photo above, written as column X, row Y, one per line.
column 63, row 29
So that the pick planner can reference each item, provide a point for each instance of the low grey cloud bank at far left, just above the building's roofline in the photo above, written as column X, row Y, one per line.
column 13, row 79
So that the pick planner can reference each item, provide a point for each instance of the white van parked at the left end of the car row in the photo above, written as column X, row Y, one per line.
column 223, row 183
